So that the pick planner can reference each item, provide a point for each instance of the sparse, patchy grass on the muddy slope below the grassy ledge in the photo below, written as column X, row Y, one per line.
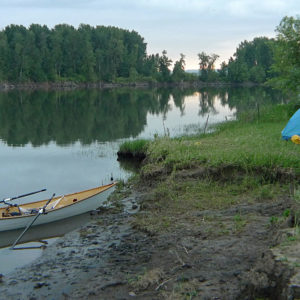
column 173, row 202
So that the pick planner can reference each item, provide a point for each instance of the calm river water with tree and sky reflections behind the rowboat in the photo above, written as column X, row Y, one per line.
column 67, row 141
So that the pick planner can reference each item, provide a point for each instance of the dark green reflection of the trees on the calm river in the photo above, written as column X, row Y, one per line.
column 39, row 117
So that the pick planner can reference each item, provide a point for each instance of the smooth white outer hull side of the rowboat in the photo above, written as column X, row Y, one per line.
column 57, row 214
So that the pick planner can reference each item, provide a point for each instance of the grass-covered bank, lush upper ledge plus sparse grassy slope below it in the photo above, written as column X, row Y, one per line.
column 241, row 162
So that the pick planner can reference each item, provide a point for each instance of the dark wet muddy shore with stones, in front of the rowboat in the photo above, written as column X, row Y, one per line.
column 111, row 259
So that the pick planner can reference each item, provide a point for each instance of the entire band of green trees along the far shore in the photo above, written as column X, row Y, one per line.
column 111, row 54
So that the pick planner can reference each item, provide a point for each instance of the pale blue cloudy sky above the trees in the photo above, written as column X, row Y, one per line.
column 177, row 26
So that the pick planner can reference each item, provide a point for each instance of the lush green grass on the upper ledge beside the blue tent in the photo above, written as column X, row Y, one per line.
column 251, row 145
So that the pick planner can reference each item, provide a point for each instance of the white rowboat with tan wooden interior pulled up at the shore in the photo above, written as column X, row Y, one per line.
column 54, row 209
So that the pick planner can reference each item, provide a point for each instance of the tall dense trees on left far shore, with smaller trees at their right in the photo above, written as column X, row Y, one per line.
column 85, row 54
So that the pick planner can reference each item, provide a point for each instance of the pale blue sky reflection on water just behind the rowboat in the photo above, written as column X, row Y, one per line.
column 59, row 169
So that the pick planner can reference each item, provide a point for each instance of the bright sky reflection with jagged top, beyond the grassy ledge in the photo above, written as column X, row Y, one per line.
column 177, row 123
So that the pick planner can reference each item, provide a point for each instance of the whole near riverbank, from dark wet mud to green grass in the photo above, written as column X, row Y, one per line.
column 209, row 217
